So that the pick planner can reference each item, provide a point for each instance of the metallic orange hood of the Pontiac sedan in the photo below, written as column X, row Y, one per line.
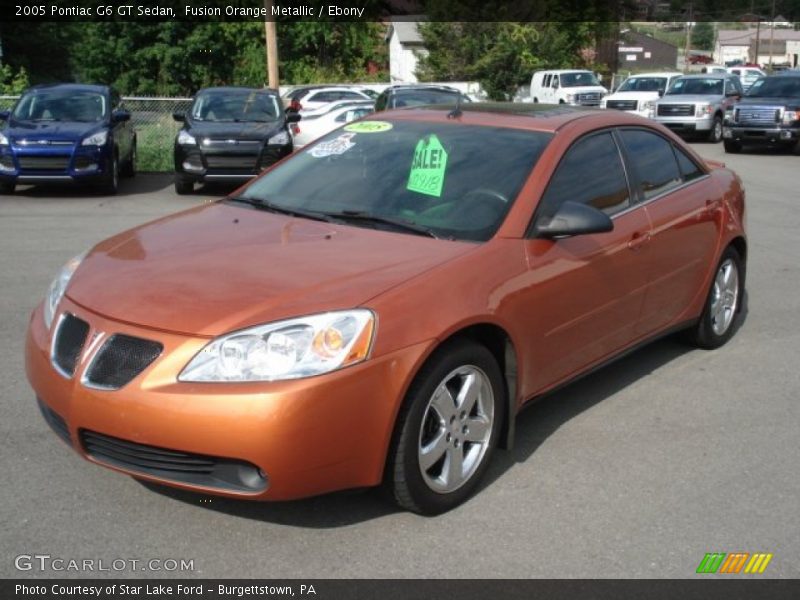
column 219, row 268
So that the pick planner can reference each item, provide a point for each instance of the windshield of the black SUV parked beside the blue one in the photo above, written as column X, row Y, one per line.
column 236, row 105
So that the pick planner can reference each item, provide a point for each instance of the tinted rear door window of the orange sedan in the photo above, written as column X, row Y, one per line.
column 653, row 161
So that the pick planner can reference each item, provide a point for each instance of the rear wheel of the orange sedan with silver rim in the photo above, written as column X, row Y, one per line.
column 723, row 305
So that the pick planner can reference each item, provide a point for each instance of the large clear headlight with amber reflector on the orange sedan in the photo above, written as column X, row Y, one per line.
column 289, row 349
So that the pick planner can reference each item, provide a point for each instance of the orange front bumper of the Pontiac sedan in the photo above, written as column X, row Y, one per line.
column 292, row 439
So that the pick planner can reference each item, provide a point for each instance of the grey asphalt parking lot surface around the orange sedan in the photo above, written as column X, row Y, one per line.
column 636, row 471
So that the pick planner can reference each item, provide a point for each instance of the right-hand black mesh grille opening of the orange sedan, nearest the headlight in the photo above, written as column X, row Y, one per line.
column 121, row 358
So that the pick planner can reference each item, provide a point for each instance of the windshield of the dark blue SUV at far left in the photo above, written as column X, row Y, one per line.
column 62, row 105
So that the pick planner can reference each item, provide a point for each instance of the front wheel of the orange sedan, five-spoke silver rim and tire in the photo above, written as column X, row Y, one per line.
column 447, row 429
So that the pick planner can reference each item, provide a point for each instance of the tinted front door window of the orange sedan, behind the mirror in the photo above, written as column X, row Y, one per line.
column 590, row 173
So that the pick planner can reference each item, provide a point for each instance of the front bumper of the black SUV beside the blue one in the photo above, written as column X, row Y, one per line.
column 239, row 162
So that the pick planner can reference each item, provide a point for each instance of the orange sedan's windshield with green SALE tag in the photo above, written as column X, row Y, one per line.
column 454, row 181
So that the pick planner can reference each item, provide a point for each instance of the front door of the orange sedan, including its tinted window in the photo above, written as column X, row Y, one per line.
column 586, row 292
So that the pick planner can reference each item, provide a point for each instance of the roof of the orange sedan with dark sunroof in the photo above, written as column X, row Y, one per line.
column 518, row 115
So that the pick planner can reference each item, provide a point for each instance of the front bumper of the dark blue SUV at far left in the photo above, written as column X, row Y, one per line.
column 55, row 164
